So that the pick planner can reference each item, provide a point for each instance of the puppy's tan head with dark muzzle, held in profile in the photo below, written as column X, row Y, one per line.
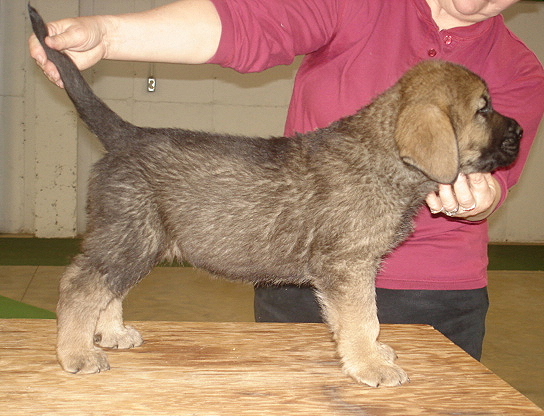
column 446, row 123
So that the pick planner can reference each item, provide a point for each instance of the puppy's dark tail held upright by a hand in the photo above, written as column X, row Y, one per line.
column 112, row 130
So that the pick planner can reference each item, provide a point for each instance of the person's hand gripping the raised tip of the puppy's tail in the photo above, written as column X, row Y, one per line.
column 82, row 39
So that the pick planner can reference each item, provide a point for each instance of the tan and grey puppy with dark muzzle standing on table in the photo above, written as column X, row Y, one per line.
column 320, row 208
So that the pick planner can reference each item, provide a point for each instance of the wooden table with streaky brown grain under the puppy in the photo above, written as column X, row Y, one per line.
column 245, row 369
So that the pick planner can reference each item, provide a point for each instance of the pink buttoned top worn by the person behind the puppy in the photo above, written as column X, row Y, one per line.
column 356, row 49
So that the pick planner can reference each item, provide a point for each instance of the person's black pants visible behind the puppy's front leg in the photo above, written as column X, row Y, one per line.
column 458, row 314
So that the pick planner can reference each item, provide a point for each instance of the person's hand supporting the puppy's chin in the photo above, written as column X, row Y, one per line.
column 473, row 197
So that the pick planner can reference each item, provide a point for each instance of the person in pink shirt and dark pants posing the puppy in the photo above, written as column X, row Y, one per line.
column 354, row 50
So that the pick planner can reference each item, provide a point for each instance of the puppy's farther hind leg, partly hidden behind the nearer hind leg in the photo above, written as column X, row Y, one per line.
column 111, row 332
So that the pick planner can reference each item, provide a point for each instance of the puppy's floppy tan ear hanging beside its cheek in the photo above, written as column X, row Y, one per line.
column 426, row 140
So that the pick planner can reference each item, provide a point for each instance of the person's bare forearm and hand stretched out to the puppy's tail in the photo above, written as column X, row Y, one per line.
column 186, row 31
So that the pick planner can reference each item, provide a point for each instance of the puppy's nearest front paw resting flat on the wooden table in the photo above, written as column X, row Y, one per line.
column 376, row 371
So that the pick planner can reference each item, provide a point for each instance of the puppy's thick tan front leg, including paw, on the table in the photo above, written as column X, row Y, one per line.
column 349, row 306
